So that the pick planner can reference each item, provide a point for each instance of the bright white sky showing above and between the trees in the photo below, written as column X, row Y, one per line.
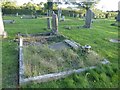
column 105, row 5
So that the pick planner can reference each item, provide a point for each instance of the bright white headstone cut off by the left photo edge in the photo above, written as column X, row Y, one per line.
column 2, row 32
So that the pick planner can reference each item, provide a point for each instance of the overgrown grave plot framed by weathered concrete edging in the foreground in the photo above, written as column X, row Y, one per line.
column 52, row 56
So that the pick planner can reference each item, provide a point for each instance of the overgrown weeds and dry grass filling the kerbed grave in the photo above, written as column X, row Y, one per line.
column 40, row 60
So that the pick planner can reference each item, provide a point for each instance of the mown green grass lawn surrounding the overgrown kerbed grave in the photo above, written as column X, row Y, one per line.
column 97, row 36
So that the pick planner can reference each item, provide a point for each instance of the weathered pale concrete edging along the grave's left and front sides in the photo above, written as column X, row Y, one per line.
column 46, row 77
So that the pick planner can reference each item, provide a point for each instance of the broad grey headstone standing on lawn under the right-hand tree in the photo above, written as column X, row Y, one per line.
column 88, row 18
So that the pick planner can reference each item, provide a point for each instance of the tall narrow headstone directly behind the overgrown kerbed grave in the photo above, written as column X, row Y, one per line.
column 54, row 23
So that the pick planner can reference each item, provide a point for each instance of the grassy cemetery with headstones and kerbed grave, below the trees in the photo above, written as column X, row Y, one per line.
column 59, row 49
